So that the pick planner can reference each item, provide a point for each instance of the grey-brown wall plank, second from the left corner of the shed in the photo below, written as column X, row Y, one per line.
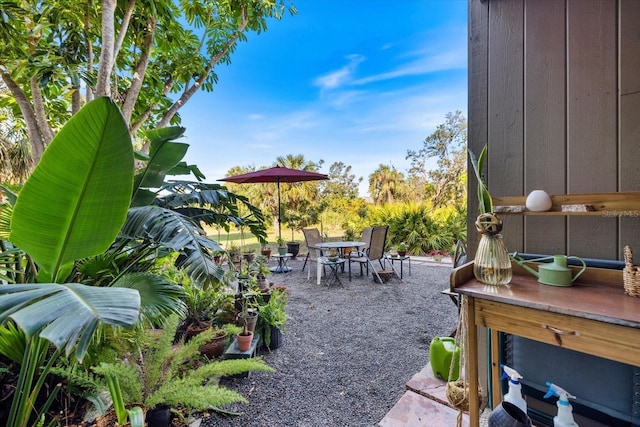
column 505, row 126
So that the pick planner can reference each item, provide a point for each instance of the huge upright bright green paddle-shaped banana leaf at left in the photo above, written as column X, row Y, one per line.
column 76, row 200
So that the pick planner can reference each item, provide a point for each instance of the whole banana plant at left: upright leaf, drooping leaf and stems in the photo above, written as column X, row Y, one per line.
column 73, row 218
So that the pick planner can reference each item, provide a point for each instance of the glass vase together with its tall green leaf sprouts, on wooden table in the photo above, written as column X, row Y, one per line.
column 492, row 265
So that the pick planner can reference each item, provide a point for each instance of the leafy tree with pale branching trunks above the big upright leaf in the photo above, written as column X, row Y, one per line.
column 150, row 57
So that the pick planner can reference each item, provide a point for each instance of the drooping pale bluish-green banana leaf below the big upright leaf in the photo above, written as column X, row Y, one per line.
column 67, row 314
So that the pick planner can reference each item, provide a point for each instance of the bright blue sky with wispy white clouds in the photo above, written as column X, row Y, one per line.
column 357, row 81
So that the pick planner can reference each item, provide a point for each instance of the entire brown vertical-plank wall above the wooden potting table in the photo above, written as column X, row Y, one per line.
column 554, row 90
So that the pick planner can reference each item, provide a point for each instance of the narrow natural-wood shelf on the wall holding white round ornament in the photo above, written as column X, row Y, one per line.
column 624, row 204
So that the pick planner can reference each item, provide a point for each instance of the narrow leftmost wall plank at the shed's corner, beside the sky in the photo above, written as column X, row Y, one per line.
column 477, row 115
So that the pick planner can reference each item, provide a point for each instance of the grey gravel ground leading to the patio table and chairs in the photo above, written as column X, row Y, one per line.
column 348, row 351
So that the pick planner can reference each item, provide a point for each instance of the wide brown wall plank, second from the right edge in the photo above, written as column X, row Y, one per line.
column 592, row 120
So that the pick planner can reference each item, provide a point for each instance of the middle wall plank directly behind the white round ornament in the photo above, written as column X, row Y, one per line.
column 544, row 118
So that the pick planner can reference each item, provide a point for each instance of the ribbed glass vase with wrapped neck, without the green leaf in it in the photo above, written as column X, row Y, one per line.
column 492, row 264
